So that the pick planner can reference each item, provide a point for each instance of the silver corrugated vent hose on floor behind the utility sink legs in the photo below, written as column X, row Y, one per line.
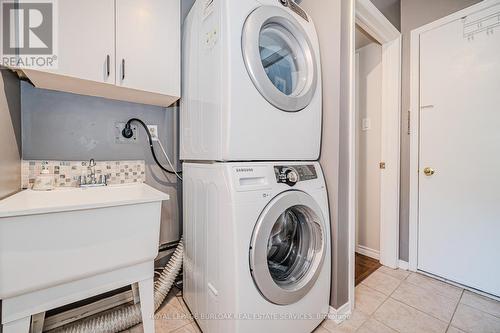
column 126, row 317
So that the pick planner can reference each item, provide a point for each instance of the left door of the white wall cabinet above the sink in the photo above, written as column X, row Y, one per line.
column 86, row 39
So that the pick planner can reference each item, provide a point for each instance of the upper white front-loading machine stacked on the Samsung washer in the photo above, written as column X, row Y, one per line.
column 251, row 82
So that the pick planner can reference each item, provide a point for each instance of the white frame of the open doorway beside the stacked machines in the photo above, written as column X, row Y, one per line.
column 370, row 19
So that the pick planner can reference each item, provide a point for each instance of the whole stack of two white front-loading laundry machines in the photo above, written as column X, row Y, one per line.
column 257, row 234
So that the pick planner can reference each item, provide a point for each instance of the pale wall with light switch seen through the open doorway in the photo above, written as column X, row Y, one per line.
column 369, row 107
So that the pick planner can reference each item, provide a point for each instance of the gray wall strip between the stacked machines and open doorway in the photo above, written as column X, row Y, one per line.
column 332, row 33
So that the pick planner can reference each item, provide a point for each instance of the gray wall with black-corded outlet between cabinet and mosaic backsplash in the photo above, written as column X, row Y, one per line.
column 62, row 126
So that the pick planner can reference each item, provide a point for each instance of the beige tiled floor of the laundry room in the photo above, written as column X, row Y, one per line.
column 388, row 301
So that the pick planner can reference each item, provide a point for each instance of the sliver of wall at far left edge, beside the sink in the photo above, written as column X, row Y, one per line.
column 10, row 133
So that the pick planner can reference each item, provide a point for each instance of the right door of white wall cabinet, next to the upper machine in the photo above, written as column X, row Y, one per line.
column 148, row 45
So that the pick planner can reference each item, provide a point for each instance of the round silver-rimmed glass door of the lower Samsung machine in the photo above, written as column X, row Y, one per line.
column 288, row 247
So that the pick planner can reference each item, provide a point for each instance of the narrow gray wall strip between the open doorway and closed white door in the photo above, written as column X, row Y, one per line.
column 415, row 14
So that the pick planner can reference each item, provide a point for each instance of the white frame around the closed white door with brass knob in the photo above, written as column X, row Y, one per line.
column 415, row 121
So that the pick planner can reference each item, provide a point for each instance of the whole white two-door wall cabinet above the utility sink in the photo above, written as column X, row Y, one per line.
column 119, row 49
